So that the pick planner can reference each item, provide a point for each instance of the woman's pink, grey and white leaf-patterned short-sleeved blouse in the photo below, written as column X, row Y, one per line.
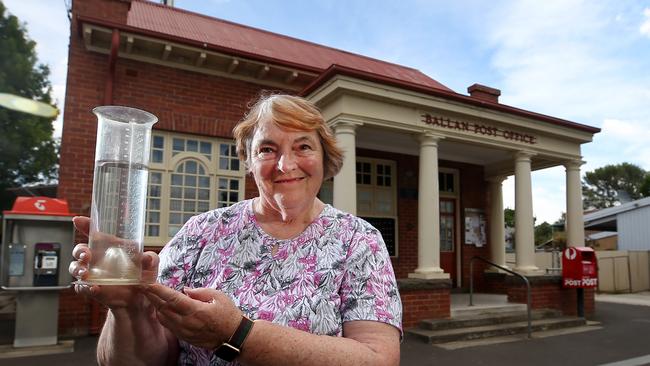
column 335, row 271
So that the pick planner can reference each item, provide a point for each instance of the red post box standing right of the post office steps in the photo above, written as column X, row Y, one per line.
column 579, row 268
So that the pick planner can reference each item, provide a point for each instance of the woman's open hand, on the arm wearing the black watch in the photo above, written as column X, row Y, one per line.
column 202, row 317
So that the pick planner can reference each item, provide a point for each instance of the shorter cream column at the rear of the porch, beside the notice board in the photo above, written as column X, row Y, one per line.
column 497, row 222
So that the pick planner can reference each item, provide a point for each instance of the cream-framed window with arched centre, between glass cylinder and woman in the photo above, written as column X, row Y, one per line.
column 188, row 175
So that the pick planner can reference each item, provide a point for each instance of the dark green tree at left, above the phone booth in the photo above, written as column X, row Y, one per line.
column 28, row 153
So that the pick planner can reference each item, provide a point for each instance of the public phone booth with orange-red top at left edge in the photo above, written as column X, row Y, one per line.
column 37, row 242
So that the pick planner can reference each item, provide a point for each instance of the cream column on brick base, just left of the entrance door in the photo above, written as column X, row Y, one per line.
column 428, row 211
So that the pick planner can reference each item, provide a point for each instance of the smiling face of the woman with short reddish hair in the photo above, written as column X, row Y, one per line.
column 287, row 166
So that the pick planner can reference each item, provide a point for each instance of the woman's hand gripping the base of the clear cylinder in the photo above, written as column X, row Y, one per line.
column 128, row 297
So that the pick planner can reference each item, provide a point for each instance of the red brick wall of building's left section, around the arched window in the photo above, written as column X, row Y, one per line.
column 183, row 101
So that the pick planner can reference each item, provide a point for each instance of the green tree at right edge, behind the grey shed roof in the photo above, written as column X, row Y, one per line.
column 611, row 184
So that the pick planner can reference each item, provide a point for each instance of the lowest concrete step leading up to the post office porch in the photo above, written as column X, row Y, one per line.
column 493, row 330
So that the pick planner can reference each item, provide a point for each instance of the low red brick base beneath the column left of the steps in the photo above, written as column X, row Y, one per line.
column 424, row 304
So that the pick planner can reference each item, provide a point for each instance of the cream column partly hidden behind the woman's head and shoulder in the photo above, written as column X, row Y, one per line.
column 345, row 183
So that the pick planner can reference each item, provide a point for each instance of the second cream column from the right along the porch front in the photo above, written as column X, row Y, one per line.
column 524, row 224
